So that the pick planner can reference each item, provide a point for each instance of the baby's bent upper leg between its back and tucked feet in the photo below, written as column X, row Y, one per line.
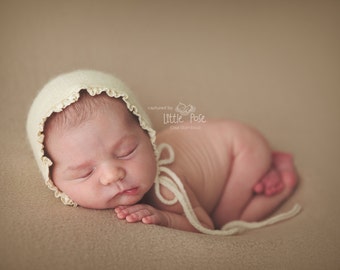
column 252, row 159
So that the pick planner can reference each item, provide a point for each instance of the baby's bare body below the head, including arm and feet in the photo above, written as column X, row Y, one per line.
column 229, row 172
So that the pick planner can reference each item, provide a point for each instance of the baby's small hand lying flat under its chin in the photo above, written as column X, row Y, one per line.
column 142, row 212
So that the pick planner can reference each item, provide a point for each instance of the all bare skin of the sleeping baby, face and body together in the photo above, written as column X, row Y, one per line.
column 228, row 169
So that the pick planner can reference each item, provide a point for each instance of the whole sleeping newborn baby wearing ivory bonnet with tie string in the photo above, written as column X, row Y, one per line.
column 96, row 148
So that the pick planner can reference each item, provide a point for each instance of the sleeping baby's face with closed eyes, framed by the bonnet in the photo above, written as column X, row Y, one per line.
column 105, row 161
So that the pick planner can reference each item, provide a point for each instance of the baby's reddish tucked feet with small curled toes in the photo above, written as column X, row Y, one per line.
column 281, row 175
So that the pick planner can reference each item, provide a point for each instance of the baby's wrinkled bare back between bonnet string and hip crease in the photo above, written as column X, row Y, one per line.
column 203, row 155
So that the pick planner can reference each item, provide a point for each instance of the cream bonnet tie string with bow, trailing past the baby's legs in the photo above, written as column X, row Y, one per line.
column 170, row 180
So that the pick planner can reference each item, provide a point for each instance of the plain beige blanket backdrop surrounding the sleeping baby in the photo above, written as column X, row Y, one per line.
column 272, row 64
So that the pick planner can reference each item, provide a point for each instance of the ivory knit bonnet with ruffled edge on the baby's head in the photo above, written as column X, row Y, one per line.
column 61, row 92
